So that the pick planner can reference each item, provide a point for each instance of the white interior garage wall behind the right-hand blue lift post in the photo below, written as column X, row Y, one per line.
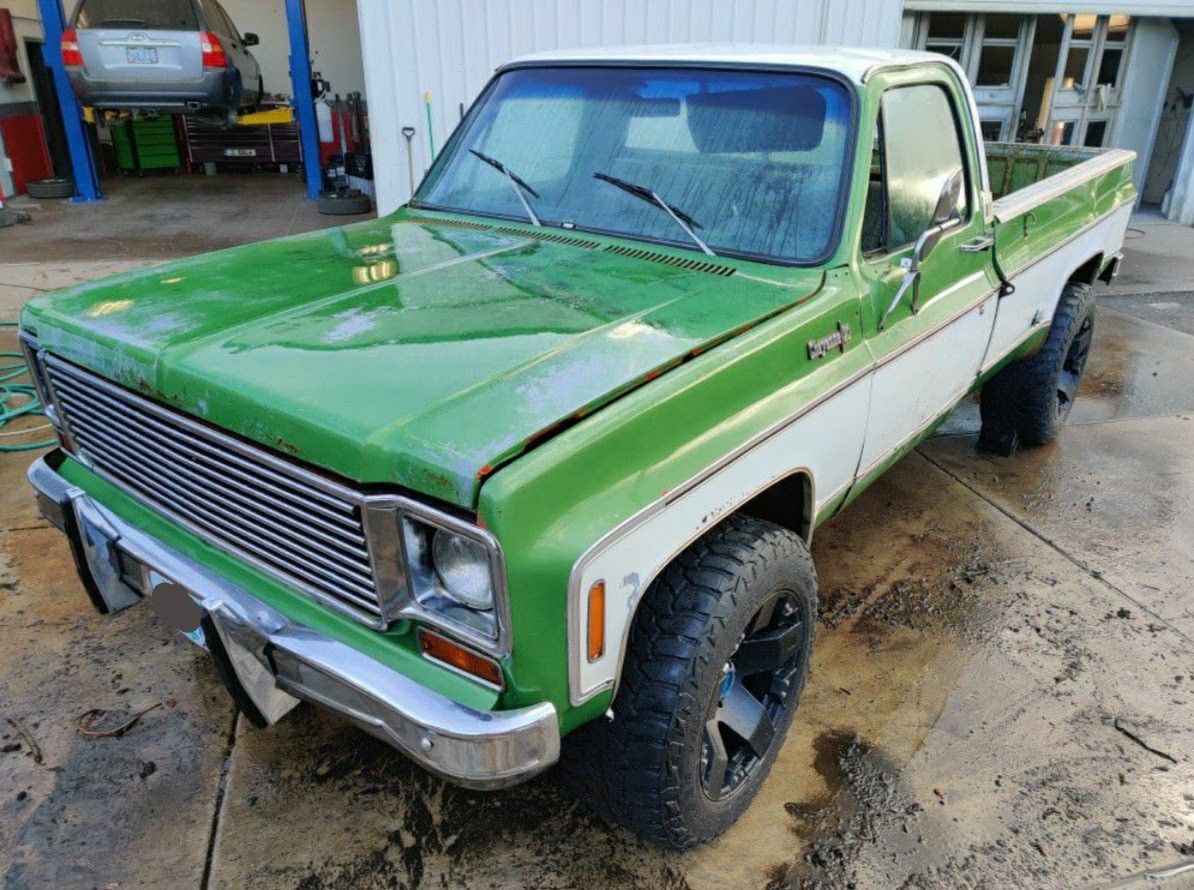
column 333, row 30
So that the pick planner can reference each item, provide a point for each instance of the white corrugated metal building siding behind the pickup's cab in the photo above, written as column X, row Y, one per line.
column 451, row 48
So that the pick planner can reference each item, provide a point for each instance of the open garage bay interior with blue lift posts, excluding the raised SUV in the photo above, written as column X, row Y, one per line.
column 158, row 185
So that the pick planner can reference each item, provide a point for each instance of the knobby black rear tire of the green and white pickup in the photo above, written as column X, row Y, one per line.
column 1024, row 398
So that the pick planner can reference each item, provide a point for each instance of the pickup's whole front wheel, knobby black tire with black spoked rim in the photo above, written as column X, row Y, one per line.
column 717, row 660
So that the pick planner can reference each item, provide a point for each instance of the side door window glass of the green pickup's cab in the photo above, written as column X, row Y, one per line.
column 920, row 146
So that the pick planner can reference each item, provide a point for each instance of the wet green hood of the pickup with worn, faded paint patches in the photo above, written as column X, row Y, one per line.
column 408, row 351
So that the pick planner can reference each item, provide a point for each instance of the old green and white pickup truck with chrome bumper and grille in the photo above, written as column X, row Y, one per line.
column 528, row 471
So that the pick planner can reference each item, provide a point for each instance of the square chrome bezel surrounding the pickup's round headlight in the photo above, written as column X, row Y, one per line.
column 386, row 520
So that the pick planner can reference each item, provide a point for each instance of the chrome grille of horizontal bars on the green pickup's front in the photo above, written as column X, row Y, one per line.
column 307, row 531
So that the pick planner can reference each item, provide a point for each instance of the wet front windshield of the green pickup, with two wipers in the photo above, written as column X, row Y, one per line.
column 756, row 161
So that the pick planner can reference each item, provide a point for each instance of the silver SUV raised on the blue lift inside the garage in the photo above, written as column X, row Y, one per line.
column 162, row 56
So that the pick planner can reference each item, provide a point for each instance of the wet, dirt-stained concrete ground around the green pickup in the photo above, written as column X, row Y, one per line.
column 1002, row 692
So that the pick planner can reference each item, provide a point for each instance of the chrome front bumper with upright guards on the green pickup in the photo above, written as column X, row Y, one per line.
column 269, row 662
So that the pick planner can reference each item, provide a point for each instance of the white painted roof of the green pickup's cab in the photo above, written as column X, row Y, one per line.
column 853, row 63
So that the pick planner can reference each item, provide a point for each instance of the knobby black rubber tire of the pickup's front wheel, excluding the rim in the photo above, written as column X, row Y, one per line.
column 643, row 768
